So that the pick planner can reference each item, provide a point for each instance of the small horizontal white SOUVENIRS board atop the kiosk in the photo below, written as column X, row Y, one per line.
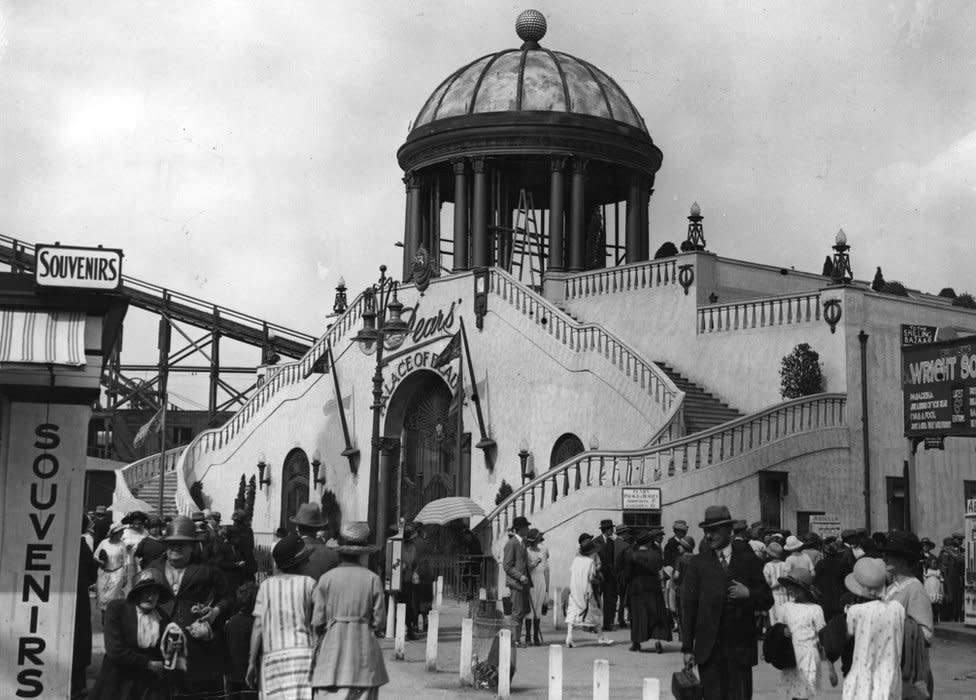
column 74, row 267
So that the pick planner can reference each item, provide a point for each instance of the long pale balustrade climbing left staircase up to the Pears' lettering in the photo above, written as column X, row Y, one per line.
column 283, row 376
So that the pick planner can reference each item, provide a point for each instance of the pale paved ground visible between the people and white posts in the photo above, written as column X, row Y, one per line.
column 953, row 660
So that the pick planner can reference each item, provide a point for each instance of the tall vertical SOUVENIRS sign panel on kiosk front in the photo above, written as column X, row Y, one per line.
column 42, row 479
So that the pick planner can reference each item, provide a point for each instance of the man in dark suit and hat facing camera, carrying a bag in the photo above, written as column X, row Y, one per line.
column 723, row 589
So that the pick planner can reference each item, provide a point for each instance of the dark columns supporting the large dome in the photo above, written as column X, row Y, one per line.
column 479, row 204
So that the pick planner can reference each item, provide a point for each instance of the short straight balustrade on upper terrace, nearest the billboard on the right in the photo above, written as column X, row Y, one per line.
column 760, row 313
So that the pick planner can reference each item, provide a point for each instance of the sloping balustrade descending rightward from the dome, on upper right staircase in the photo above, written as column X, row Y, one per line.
column 588, row 338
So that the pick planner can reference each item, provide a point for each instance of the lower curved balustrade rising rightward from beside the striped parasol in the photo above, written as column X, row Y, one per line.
column 705, row 449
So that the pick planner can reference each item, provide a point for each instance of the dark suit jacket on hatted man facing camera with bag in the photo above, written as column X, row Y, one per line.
column 708, row 618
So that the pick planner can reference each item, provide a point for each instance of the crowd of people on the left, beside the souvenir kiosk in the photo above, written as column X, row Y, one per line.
column 185, row 616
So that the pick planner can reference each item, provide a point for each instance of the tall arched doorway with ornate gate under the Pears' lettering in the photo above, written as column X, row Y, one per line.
column 424, row 417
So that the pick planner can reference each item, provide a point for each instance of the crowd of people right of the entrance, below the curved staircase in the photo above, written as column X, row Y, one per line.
column 869, row 601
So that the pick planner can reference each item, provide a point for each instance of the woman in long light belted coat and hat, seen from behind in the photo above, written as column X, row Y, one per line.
column 348, row 610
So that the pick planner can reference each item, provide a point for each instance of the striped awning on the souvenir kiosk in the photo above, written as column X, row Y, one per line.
column 42, row 337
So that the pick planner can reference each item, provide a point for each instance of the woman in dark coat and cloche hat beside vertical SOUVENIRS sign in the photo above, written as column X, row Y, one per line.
column 133, row 665
